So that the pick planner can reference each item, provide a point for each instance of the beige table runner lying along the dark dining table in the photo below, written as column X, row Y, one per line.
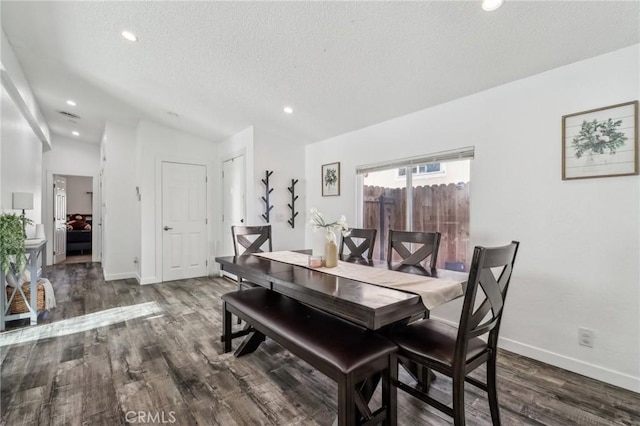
column 433, row 291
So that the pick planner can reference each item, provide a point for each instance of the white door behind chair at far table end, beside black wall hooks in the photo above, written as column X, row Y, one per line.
column 234, row 199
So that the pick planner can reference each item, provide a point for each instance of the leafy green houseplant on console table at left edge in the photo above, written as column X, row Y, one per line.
column 12, row 249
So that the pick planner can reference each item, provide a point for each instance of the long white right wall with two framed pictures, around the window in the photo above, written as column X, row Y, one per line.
column 580, row 240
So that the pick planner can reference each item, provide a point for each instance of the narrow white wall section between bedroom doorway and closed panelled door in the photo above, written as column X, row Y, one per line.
column 121, row 223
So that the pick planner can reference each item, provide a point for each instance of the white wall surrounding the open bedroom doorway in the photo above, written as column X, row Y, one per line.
column 78, row 158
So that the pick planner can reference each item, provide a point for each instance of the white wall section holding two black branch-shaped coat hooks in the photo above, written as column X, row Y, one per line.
column 285, row 158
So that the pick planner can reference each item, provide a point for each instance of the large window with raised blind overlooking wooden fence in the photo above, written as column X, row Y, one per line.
column 433, row 195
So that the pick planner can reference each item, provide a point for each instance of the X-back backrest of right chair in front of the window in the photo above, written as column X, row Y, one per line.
column 424, row 244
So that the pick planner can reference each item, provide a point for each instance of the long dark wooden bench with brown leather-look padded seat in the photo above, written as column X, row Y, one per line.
column 347, row 353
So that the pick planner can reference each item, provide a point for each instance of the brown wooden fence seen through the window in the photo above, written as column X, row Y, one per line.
column 443, row 208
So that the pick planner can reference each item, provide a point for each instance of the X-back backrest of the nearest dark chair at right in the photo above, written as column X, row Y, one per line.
column 480, row 317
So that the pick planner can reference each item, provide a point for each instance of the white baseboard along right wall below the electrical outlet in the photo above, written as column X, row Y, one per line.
column 574, row 365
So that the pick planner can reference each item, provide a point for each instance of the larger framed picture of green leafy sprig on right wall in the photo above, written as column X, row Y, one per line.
column 600, row 142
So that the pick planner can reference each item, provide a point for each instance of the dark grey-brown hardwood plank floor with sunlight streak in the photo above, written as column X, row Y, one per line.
column 118, row 353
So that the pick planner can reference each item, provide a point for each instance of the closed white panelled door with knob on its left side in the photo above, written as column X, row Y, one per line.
column 184, row 221
